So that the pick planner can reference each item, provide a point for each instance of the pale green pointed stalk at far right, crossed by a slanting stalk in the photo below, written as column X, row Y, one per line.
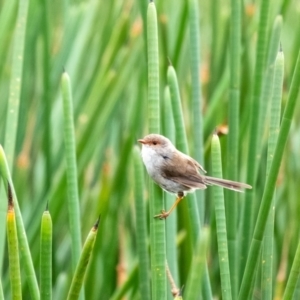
column 267, row 252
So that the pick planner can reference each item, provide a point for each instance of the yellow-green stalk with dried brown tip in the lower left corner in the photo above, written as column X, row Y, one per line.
column 13, row 249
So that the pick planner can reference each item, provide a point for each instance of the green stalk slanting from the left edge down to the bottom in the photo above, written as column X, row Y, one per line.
column 22, row 238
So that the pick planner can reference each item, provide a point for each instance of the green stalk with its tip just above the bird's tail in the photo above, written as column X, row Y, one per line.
column 220, row 219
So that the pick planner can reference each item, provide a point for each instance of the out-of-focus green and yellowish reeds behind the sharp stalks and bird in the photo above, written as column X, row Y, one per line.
column 102, row 46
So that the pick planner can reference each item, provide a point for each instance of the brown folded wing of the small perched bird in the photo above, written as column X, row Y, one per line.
column 184, row 170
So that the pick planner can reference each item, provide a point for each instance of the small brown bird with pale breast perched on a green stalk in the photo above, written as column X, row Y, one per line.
column 176, row 172
